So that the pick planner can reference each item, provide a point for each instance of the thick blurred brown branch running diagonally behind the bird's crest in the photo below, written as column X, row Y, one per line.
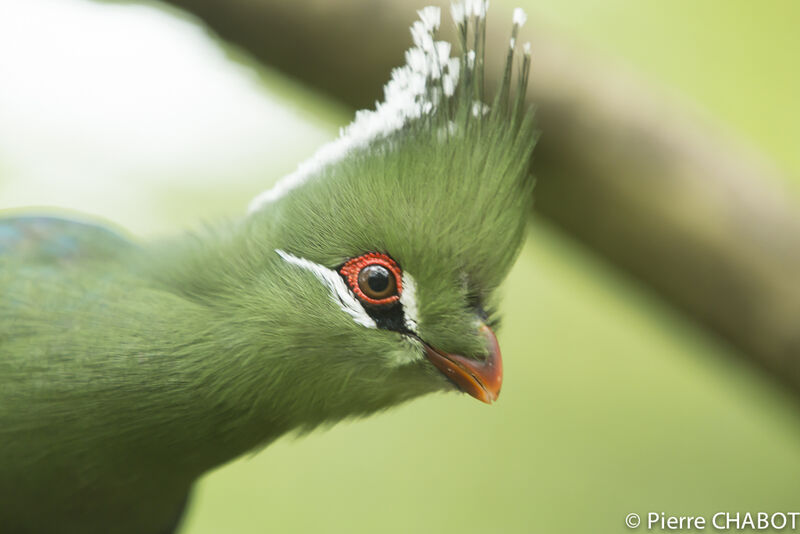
column 648, row 186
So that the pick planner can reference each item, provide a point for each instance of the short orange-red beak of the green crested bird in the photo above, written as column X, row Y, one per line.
column 481, row 379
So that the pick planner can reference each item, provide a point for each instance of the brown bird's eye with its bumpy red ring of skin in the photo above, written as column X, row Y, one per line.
column 375, row 278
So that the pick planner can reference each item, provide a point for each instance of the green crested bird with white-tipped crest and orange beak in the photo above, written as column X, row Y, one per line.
column 364, row 279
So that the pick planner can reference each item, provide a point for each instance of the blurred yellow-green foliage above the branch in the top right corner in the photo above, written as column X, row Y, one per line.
column 733, row 58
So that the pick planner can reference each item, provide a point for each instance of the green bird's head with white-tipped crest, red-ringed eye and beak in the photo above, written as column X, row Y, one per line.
column 391, row 241
